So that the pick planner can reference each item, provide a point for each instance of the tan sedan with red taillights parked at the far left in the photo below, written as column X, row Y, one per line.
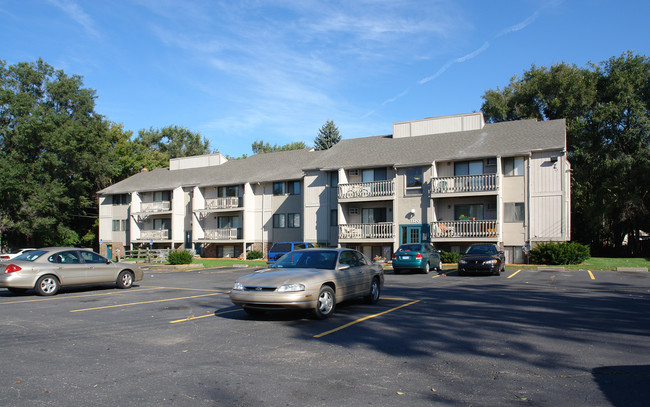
column 46, row 270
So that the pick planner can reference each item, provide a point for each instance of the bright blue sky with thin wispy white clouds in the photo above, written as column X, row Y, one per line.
column 241, row 71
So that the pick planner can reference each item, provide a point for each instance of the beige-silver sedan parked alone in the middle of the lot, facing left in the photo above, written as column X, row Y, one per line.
column 310, row 279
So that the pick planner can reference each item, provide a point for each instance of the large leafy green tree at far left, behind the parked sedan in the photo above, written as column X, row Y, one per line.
column 53, row 156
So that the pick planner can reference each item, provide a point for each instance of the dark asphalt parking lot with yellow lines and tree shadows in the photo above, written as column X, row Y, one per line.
column 525, row 338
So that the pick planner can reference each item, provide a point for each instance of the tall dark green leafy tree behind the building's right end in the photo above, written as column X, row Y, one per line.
column 607, row 108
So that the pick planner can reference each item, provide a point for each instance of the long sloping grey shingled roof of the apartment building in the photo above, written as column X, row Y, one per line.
column 497, row 139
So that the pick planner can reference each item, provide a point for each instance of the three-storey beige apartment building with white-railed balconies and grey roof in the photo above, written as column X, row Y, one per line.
column 451, row 181
